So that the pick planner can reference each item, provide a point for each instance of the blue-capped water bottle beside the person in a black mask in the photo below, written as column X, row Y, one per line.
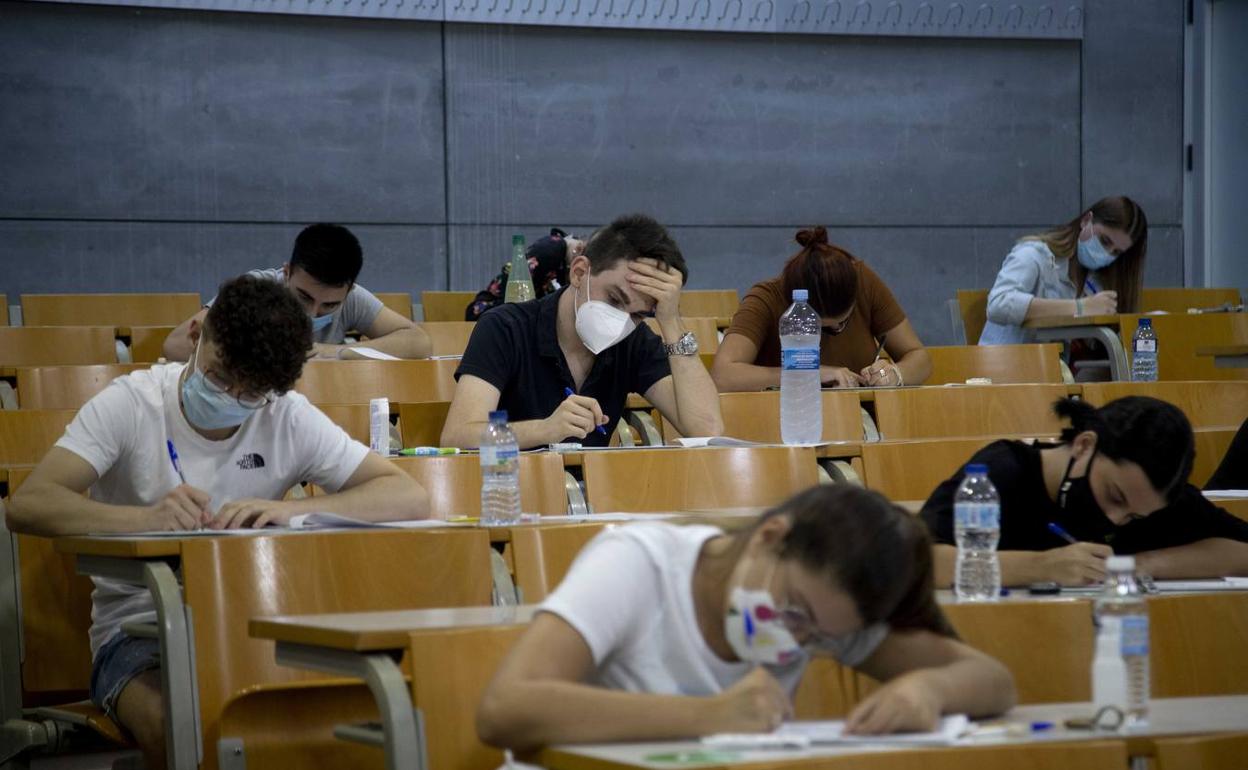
column 978, row 529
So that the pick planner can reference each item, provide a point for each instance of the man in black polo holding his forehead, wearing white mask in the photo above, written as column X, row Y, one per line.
column 563, row 366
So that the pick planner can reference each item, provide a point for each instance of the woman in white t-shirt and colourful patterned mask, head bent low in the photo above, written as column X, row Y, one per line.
column 712, row 631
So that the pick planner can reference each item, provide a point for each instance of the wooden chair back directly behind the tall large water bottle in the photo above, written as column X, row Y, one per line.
column 757, row 417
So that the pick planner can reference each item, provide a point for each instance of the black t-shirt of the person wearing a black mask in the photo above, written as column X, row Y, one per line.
column 1026, row 511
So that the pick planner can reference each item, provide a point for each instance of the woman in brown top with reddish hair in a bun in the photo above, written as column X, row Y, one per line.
column 858, row 313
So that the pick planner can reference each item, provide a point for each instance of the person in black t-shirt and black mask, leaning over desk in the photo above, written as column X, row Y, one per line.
column 1116, row 482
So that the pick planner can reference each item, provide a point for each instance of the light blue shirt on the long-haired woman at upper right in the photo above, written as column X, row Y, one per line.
column 1030, row 271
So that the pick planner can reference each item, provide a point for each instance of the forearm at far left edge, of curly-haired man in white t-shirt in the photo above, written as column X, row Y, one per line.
column 53, row 511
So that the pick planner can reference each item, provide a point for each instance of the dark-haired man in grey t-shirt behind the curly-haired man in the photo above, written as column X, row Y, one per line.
column 323, row 273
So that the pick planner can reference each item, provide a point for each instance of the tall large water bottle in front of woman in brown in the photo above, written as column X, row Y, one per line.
column 802, row 406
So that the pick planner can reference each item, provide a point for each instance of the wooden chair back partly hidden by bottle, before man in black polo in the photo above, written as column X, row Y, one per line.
column 454, row 484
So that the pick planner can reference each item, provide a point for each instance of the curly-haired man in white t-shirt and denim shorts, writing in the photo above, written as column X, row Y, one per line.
column 241, row 440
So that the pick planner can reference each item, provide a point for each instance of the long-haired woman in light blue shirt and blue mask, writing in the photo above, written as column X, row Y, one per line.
column 1041, row 280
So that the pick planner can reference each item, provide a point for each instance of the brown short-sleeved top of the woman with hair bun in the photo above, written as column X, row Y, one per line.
column 875, row 313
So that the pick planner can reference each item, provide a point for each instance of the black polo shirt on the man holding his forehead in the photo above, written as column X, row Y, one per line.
column 516, row 349
